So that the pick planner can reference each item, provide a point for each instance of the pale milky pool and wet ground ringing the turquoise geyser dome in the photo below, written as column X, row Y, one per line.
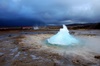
column 90, row 43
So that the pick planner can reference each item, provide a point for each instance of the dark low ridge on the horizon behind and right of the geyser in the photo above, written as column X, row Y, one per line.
column 78, row 26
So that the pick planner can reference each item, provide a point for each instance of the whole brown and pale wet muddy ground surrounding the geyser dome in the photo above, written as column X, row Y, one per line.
column 31, row 49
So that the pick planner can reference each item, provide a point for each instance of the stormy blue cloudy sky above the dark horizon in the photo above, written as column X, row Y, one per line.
column 49, row 11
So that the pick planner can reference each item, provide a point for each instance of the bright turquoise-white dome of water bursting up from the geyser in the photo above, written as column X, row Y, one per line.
column 63, row 38
